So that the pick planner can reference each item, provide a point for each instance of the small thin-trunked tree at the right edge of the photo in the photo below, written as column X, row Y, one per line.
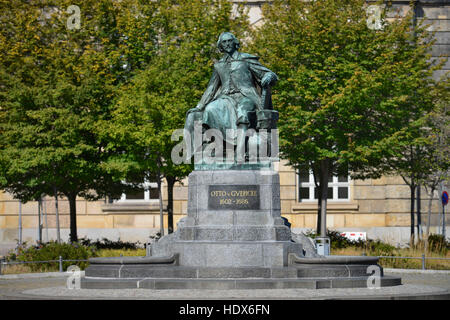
column 421, row 155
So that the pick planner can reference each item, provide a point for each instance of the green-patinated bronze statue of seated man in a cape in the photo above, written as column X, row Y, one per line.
column 240, row 85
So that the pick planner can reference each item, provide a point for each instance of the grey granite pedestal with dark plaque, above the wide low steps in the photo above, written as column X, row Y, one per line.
column 233, row 220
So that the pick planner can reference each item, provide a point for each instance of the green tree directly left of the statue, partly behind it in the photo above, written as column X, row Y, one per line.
column 154, row 103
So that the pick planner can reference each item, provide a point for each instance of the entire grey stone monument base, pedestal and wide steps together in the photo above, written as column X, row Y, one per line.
column 233, row 238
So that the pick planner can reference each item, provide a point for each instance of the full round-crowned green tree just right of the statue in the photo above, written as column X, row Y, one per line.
column 344, row 88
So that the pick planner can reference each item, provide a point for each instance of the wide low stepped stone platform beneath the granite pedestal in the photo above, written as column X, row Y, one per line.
column 318, row 273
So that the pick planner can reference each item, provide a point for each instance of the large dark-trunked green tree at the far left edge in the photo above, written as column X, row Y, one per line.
column 58, row 83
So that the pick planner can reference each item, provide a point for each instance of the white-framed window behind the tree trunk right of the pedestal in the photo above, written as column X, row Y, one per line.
column 338, row 187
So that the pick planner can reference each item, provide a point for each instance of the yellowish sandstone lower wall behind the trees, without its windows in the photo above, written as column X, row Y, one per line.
column 379, row 207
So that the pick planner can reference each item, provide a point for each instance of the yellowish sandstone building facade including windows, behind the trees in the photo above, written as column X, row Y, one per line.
column 378, row 207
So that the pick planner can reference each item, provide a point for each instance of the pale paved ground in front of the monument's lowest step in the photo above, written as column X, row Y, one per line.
column 54, row 288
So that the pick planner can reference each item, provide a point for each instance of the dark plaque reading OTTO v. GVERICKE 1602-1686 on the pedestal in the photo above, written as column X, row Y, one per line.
column 233, row 197
